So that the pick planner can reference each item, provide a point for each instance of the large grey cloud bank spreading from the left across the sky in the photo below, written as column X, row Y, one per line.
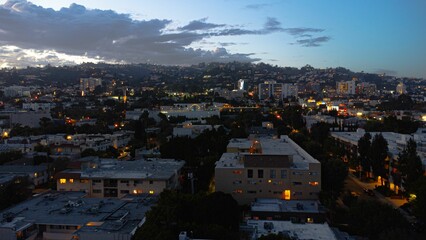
column 37, row 35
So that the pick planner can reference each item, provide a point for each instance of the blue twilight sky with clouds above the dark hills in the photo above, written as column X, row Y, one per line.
column 379, row 36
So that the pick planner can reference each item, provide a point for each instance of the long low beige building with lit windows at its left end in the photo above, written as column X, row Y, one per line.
column 112, row 178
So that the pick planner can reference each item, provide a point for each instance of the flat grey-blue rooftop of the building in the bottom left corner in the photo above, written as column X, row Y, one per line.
column 73, row 209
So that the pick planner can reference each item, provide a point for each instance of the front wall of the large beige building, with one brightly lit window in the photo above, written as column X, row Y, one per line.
column 302, row 184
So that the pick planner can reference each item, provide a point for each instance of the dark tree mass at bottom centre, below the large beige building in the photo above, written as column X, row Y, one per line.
column 211, row 216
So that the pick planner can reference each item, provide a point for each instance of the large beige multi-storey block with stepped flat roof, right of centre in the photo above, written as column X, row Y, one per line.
column 267, row 168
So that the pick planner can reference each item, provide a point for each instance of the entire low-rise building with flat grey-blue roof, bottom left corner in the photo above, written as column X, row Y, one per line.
column 69, row 215
